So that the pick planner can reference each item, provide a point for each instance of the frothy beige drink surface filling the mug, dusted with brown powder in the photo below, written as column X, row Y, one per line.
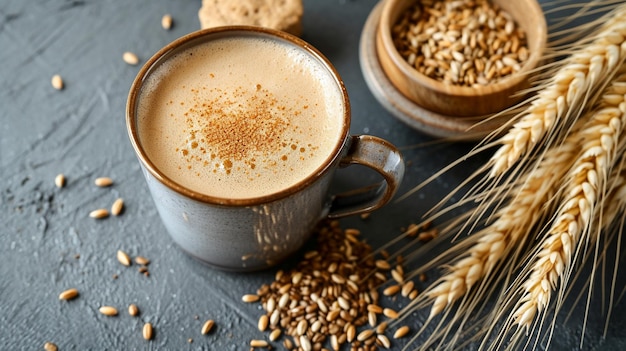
column 239, row 117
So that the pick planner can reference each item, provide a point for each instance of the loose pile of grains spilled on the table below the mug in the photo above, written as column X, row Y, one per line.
column 331, row 296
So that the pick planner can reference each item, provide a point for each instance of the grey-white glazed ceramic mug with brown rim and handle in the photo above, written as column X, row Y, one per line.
column 256, row 233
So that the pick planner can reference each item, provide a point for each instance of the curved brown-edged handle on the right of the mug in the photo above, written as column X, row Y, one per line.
column 379, row 155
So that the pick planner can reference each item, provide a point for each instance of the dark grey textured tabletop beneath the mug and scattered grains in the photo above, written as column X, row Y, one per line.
column 80, row 131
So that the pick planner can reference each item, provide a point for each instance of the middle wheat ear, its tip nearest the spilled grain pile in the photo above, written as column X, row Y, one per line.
column 511, row 225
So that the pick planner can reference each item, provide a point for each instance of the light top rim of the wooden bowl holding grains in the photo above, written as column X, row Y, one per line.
column 424, row 81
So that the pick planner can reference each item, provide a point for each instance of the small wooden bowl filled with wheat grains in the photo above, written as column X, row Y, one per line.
column 461, row 58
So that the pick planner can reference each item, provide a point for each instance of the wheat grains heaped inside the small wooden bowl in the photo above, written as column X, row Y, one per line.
column 460, row 42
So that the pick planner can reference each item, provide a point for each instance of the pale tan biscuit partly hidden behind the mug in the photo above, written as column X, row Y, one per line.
column 283, row 15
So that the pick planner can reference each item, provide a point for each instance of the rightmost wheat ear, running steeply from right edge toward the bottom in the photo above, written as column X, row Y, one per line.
column 585, row 186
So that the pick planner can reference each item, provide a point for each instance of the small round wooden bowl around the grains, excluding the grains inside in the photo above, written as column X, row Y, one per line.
column 457, row 100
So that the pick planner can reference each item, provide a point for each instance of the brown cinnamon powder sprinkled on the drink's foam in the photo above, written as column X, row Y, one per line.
column 241, row 136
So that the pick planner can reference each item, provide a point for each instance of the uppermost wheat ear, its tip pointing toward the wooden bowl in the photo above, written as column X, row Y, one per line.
column 579, row 73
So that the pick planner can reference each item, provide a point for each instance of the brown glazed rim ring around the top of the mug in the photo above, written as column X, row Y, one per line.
column 206, row 34
